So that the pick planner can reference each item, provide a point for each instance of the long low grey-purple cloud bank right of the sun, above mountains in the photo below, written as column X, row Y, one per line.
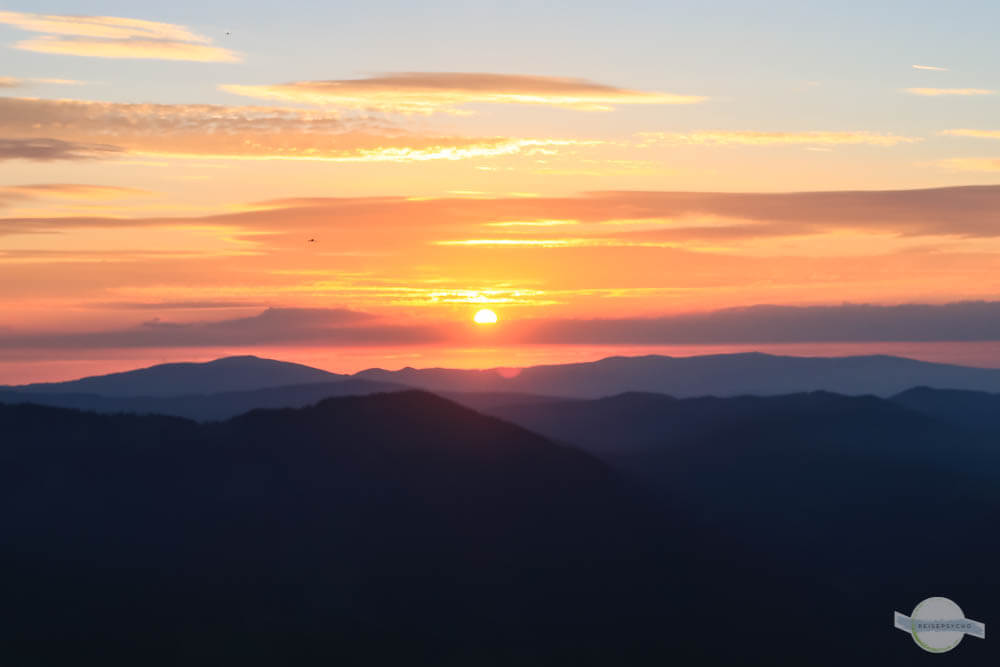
column 963, row 321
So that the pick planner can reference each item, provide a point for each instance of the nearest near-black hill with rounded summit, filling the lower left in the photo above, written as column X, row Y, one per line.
column 394, row 527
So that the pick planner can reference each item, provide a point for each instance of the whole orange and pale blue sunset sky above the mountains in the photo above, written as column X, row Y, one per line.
column 347, row 184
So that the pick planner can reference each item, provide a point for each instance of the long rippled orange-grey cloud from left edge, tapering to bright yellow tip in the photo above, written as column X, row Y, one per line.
column 252, row 133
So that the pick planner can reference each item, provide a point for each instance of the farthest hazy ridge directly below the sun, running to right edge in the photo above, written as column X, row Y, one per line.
column 713, row 375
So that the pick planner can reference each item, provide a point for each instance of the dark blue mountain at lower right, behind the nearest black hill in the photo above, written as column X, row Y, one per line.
column 846, row 506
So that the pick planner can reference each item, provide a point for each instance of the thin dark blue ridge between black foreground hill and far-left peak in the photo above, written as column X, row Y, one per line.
column 205, row 407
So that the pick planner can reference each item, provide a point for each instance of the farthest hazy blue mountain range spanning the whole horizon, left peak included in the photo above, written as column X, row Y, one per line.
column 710, row 375
